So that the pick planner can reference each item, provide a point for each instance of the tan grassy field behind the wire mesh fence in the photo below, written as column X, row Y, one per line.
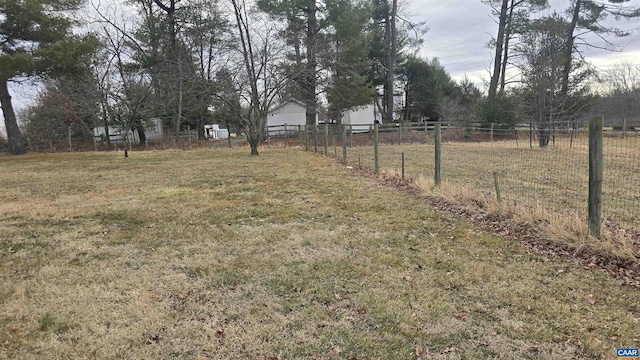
column 553, row 178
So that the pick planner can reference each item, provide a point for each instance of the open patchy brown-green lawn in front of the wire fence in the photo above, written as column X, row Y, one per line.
column 213, row 254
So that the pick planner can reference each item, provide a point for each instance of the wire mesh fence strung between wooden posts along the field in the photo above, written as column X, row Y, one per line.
column 554, row 177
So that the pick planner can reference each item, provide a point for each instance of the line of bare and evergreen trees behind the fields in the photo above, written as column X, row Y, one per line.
column 194, row 62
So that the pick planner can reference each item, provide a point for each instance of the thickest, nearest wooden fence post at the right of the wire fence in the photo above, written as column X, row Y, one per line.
column 595, row 175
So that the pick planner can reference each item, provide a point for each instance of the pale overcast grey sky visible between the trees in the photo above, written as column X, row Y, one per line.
column 459, row 32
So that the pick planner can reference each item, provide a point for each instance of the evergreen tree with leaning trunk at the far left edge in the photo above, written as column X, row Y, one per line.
column 36, row 41
